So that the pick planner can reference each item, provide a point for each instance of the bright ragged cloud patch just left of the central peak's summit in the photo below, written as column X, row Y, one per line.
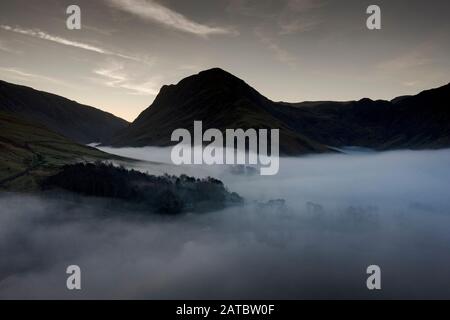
column 114, row 76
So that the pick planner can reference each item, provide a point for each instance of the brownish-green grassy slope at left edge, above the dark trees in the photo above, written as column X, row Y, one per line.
column 30, row 152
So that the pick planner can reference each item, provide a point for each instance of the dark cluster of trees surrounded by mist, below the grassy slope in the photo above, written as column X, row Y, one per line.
column 162, row 194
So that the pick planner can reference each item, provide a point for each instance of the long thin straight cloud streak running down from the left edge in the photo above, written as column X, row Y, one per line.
column 36, row 33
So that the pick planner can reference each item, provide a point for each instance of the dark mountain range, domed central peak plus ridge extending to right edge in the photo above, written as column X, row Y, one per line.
column 223, row 101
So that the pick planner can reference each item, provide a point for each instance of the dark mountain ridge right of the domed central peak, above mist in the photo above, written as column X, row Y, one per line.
column 414, row 122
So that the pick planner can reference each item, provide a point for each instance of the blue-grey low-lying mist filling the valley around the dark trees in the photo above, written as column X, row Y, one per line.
column 341, row 214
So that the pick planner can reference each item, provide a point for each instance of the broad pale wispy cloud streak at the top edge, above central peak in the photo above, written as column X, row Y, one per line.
column 151, row 11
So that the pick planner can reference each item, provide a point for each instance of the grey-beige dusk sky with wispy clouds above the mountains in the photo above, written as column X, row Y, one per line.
column 289, row 50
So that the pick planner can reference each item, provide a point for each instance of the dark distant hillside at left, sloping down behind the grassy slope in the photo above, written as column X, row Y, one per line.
column 80, row 123
